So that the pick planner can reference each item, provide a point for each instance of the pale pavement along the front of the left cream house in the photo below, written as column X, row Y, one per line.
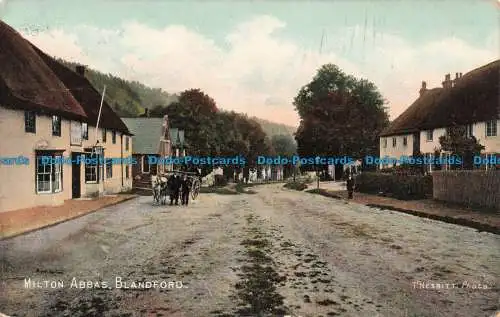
column 16, row 222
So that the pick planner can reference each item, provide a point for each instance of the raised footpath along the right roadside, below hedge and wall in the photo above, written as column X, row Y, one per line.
column 428, row 208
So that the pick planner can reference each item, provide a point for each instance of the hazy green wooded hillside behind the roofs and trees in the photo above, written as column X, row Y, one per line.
column 130, row 98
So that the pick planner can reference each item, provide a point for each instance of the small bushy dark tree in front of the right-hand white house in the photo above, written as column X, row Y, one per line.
column 457, row 143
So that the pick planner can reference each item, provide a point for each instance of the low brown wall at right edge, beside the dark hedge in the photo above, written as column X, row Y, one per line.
column 472, row 188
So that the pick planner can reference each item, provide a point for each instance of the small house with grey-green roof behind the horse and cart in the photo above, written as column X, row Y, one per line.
column 151, row 139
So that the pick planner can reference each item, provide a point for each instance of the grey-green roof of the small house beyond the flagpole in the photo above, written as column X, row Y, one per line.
column 147, row 133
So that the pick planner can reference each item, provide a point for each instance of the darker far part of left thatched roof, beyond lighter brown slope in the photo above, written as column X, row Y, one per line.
column 88, row 97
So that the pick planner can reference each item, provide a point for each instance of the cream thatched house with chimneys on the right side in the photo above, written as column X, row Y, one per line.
column 471, row 101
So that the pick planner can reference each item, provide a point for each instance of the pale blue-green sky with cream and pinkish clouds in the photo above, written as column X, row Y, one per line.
column 253, row 56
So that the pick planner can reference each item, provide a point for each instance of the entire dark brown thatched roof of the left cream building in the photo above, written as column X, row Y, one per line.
column 30, row 79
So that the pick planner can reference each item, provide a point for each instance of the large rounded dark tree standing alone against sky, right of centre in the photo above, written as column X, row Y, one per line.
column 340, row 115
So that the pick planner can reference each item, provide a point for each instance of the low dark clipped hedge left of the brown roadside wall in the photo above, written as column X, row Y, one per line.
column 405, row 187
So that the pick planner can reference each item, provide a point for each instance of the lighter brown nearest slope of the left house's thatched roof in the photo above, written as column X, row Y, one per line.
column 26, row 82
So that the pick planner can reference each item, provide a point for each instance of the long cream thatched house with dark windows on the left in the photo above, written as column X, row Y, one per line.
column 49, row 112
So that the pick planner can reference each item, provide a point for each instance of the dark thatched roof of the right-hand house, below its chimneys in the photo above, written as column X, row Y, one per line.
column 474, row 98
